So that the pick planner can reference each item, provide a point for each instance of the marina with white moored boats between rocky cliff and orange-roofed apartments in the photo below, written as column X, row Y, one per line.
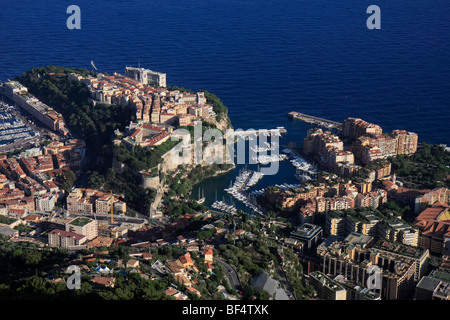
column 226, row 193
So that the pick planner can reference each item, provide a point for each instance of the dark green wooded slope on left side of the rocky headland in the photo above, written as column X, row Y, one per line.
column 93, row 124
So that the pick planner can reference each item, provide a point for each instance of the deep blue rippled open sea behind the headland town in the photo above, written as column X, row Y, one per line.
column 264, row 58
